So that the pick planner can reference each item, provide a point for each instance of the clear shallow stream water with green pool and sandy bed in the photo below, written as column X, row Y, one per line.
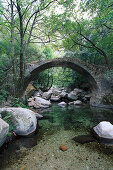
column 41, row 152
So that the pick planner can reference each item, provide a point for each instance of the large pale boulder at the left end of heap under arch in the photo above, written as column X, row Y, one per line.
column 38, row 102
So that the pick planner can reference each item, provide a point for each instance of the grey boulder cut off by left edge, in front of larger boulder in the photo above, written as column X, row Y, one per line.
column 4, row 128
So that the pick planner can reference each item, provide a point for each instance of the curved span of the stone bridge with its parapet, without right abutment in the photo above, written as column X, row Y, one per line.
column 36, row 67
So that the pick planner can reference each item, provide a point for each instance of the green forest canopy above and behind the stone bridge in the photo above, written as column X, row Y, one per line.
column 43, row 29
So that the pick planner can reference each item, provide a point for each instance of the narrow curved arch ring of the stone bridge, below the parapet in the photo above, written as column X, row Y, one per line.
column 40, row 67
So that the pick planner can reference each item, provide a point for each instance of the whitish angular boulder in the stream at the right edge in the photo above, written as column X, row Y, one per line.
column 104, row 130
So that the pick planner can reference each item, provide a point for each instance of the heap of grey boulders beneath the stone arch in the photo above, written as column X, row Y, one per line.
column 44, row 99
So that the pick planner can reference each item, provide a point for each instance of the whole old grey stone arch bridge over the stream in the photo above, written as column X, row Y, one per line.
column 93, row 73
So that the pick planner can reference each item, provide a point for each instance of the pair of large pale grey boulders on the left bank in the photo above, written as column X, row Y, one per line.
column 24, row 122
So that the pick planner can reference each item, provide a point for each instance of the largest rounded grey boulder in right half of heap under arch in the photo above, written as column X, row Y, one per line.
column 75, row 94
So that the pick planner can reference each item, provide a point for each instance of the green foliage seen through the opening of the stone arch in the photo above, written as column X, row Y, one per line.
column 60, row 77
